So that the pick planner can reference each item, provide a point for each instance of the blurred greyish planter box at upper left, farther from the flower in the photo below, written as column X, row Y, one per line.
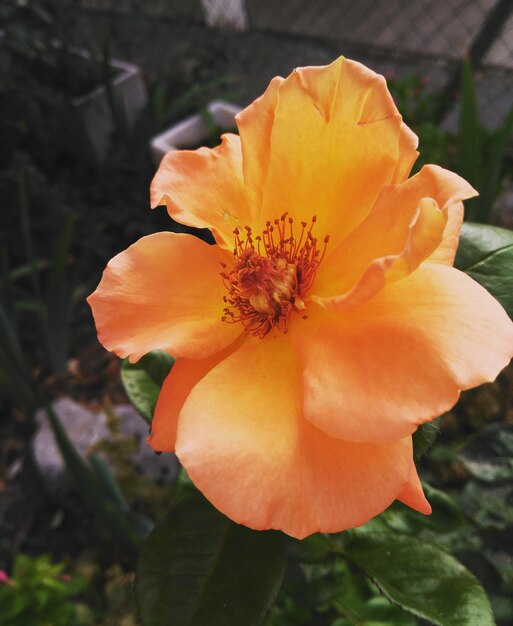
column 129, row 94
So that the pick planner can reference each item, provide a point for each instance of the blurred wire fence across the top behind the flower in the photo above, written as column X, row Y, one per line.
column 258, row 39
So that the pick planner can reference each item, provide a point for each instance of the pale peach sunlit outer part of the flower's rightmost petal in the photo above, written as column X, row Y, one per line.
column 458, row 317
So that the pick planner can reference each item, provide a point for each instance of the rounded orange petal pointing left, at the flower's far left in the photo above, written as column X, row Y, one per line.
column 163, row 293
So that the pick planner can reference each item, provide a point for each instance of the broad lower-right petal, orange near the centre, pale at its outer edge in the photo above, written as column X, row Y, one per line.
column 376, row 371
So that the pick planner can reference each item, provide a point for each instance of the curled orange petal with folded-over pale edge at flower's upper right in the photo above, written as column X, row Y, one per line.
column 402, row 230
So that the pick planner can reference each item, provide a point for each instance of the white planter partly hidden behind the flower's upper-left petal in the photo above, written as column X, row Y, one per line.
column 192, row 132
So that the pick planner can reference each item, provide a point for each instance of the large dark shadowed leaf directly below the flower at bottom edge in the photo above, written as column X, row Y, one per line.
column 197, row 568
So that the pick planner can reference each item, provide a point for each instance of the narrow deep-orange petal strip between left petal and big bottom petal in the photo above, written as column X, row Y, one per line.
column 184, row 376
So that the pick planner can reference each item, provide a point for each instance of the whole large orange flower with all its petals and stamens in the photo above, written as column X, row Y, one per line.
column 327, row 323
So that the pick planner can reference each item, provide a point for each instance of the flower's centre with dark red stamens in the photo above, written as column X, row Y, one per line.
column 271, row 275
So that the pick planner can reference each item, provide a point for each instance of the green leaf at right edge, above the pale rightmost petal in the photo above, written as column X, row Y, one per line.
column 486, row 254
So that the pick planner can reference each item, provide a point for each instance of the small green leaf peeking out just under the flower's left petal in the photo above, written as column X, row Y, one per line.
column 142, row 380
